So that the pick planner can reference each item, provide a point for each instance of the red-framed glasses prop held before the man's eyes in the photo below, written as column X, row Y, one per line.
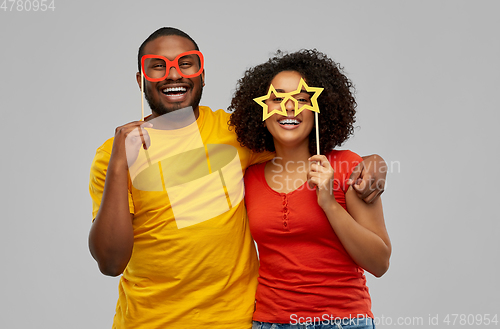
column 188, row 65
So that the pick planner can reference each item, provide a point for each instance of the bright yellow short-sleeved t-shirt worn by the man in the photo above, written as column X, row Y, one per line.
column 194, row 264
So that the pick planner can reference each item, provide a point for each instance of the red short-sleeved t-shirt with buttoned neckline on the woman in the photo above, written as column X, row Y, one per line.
column 304, row 269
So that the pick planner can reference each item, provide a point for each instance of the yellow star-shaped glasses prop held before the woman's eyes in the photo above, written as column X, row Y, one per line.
column 289, row 96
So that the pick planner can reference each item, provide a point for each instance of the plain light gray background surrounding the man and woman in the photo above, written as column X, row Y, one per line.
column 427, row 78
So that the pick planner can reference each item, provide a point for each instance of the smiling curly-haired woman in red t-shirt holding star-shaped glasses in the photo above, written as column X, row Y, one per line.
column 315, row 236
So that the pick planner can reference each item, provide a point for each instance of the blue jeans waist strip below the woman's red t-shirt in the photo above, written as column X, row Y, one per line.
column 359, row 323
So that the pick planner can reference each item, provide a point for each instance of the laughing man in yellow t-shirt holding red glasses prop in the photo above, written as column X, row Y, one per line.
column 177, row 273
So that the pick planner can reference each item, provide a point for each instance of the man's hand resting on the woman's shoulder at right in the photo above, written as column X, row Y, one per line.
column 368, row 178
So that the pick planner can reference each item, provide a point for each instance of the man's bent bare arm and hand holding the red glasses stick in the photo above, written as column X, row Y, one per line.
column 111, row 237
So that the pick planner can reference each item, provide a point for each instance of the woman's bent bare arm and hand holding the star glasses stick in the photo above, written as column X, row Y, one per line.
column 361, row 230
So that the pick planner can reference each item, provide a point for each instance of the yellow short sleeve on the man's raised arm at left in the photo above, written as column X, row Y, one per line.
column 98, row 177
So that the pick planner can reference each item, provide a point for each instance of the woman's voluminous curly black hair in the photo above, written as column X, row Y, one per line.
column 336, row 103
